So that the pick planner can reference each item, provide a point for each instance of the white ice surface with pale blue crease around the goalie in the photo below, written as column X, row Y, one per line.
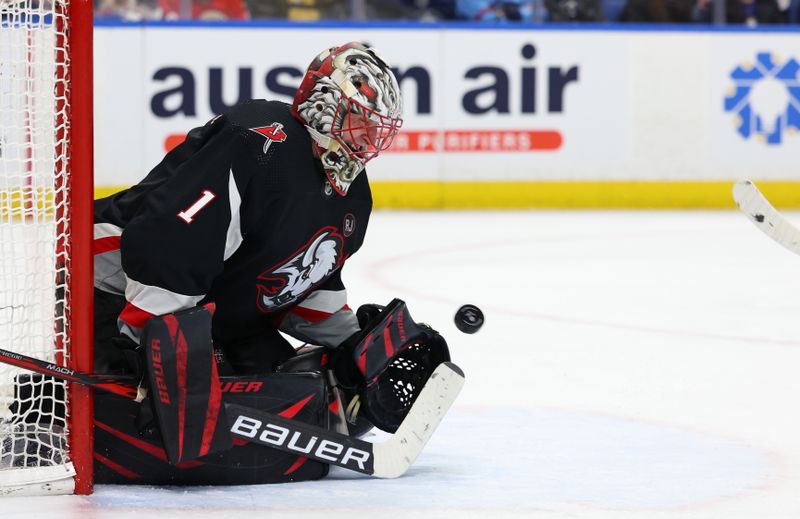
column 633, row 365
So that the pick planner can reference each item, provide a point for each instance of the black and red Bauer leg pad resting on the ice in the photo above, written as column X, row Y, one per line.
column 126, row 454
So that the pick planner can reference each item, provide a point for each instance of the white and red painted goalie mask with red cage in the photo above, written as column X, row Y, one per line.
column 349, row 101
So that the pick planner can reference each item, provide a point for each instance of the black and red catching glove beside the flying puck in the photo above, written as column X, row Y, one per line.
column 388, row 362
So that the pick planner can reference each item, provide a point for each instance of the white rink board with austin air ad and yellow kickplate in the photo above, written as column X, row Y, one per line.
column 498, row 117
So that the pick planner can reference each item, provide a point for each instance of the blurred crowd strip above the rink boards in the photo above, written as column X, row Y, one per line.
column 749, row 12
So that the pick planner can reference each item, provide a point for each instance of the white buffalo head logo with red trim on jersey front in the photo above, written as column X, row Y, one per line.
column 309, row 266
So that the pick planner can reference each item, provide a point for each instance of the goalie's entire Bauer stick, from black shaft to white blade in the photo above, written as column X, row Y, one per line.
column 388, row 459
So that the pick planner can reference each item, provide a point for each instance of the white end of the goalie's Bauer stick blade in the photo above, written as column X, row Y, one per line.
column 394, row 456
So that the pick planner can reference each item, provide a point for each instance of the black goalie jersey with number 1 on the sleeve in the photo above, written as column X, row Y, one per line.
column 241, row 215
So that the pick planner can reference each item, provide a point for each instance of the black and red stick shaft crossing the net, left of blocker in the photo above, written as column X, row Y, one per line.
column 123, row 386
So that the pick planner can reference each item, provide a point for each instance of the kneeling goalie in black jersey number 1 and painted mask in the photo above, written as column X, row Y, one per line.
column 239, row 234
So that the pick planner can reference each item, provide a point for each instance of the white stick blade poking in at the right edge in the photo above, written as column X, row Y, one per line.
column 764, row 216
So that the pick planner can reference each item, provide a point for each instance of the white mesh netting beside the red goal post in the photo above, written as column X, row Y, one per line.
column 32, row 239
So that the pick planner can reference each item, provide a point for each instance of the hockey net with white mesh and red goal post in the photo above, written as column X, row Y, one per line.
column 45, row 192
